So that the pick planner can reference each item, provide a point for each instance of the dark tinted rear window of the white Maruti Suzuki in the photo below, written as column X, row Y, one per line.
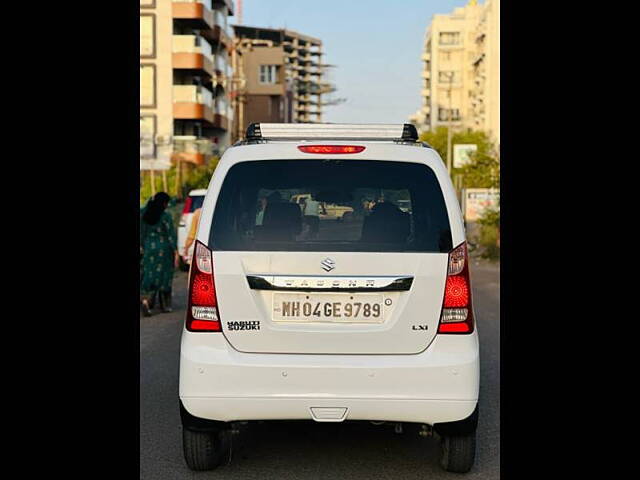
column 331, row 205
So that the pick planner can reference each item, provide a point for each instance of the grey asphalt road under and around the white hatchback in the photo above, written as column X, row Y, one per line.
column 308, row 450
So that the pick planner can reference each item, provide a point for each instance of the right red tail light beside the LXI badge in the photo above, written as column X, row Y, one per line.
column 457, row 311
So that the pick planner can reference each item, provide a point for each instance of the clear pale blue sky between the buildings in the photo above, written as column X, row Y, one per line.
column 375, row 45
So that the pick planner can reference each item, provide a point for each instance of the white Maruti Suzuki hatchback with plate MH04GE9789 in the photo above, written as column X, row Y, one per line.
column 370, row 319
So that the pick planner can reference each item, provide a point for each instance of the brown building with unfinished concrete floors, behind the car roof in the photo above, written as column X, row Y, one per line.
column 280, row 76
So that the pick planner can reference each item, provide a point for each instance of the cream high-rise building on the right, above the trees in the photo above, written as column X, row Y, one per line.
column 461, row 70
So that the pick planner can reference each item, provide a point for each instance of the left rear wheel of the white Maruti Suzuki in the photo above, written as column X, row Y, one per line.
column 206, row 450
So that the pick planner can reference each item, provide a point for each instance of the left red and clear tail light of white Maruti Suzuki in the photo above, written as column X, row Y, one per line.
column 202, row 311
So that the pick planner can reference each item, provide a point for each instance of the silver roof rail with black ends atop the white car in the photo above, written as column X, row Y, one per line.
column 332, row 131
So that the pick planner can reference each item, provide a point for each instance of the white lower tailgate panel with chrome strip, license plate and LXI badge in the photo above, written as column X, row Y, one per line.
column 368, row 304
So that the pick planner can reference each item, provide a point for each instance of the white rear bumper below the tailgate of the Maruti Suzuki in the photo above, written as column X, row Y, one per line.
column 438, row 385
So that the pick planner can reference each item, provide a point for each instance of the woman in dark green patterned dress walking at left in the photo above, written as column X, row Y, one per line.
column 158, row 248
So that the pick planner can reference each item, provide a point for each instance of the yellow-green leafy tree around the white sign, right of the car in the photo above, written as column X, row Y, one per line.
column 483, row 170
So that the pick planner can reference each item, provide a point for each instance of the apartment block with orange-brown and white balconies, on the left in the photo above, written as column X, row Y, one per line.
column 185, row 112
